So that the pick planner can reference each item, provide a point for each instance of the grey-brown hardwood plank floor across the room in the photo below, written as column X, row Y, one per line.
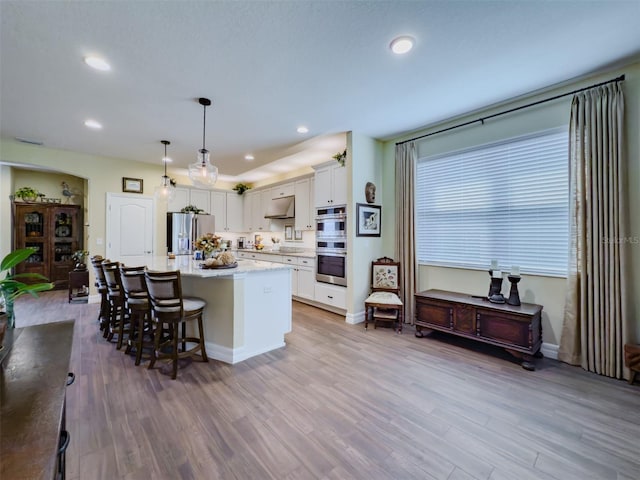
column 341, row 403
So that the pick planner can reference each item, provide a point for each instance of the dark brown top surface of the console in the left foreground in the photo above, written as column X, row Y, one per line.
column 33, row 382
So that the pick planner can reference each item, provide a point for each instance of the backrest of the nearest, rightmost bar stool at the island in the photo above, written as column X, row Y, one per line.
column 165, row 294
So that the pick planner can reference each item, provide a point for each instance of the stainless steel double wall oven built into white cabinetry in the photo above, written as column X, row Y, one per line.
column 331, row 245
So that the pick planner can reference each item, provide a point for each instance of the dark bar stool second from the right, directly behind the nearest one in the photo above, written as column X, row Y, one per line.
column 136, row 302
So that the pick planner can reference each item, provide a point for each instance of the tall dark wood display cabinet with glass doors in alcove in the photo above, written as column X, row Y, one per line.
column 55, row 232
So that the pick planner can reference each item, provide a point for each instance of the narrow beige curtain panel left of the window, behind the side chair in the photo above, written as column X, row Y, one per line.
column 406, row 157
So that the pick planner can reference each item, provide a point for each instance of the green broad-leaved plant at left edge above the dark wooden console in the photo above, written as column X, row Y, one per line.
column 12, row 286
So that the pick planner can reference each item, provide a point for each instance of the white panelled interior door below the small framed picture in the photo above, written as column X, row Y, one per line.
column 130, row 227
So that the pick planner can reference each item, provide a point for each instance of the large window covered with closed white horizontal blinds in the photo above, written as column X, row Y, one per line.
column 506, row 201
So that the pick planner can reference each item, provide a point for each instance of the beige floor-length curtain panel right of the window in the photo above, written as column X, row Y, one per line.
column 595, row 321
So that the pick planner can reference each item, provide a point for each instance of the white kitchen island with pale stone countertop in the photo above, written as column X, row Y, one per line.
column 248, row 308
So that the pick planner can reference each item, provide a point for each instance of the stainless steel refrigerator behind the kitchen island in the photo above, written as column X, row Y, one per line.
column 184, row 228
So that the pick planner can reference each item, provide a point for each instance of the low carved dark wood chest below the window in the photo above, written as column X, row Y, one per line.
column 518, row 329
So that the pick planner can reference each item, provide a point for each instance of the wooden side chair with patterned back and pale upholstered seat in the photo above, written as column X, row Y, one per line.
column 384, row 302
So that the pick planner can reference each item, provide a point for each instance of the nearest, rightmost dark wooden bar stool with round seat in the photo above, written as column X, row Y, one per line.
column 169, row 308
